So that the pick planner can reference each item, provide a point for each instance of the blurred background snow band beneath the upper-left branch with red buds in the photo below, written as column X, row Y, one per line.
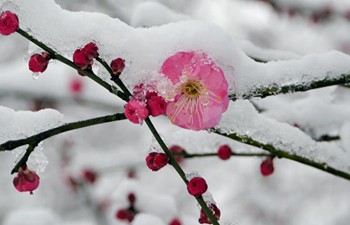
column 53, row 84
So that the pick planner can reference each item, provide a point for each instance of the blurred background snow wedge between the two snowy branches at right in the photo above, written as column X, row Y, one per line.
column 296, row 110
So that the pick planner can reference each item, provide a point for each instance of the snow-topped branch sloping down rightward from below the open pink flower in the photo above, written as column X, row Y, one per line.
column 243, row 123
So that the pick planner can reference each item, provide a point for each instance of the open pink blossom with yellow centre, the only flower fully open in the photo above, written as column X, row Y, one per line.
column 200, row 90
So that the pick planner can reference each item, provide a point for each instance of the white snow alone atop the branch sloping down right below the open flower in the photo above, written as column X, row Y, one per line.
column 243, row 119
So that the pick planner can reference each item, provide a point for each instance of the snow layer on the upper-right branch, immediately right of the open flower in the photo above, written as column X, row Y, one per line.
column 302, row 71
